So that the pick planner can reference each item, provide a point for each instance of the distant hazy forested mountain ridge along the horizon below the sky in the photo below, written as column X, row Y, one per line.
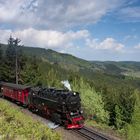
column 70, row 62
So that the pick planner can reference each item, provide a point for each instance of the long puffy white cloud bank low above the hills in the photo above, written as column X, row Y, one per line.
column 59, row 40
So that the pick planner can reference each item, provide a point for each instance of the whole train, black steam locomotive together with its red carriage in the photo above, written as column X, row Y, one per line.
column 61, row 106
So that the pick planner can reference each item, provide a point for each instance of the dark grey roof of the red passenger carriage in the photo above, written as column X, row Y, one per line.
column 15, row 86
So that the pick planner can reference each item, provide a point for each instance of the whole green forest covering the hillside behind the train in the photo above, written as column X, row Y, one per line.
column 109, row 100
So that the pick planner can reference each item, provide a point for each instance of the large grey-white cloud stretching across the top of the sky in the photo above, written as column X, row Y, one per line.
column 54, row 13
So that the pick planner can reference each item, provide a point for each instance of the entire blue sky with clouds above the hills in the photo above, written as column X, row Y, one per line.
column 89, row 29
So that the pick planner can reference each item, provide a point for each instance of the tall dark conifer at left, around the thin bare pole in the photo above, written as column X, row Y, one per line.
column 14, row 61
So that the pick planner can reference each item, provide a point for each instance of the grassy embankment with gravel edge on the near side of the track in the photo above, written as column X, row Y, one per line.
column 23, row 124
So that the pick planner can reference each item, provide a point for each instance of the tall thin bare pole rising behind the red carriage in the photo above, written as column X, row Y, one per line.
column 16, row 41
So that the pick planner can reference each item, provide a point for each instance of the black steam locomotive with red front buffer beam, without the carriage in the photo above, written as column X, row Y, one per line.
column 61, row 106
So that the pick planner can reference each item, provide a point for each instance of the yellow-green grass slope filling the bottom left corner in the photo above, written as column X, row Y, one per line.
column 14, row 125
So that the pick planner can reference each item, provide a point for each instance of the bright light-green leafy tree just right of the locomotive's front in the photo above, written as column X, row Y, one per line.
column 92, row 102
